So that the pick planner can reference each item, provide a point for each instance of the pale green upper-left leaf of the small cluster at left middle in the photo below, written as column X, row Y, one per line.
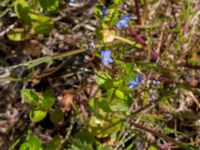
column 30, row 96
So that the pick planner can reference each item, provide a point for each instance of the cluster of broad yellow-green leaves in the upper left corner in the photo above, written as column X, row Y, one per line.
column 34, row 16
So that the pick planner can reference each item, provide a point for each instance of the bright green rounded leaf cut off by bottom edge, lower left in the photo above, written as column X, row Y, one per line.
column 33, row 143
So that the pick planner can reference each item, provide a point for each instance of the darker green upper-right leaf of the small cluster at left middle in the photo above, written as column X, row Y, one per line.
column 48, row 100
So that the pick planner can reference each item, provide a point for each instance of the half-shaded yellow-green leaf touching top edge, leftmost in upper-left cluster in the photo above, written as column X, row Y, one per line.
column 22, row 10
